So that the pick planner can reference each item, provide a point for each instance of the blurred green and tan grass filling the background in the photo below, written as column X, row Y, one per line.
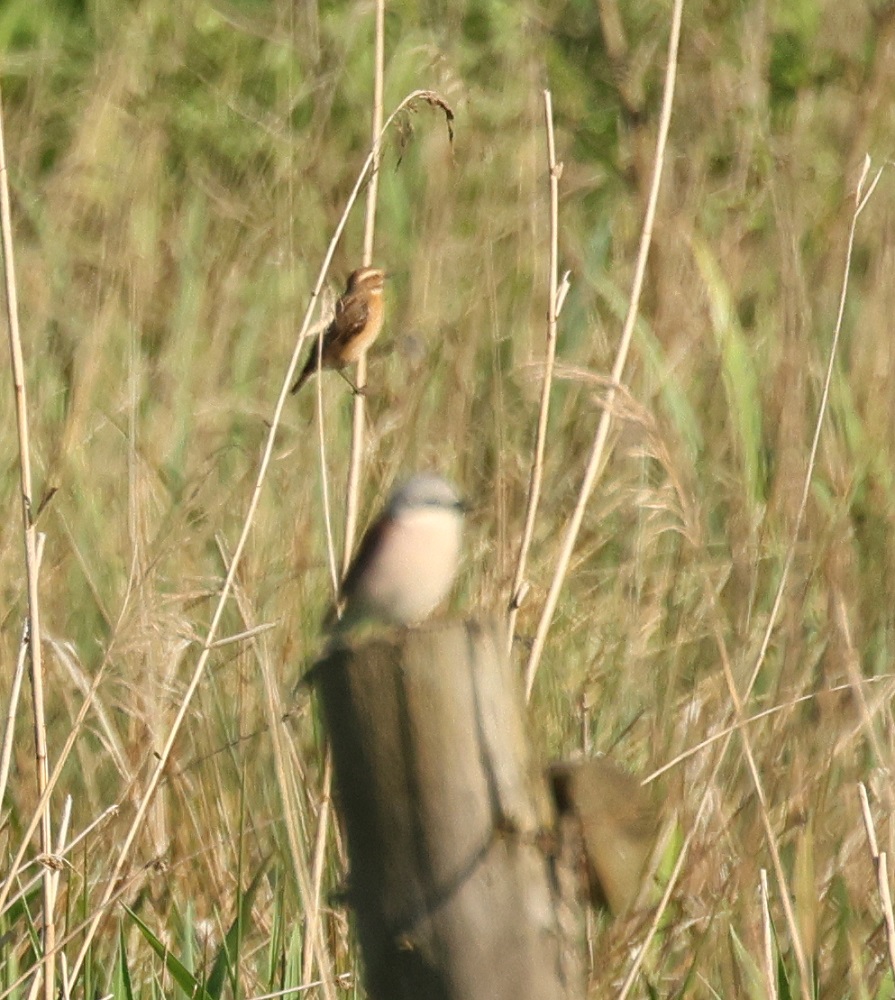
column 177, row 171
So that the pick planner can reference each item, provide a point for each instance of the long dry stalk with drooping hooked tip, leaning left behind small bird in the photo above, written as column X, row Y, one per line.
column 432, row 98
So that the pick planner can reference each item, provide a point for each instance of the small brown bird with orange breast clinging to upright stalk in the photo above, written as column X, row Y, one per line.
column 354, row 327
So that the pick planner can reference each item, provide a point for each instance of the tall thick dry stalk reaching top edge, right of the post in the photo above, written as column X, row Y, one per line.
column 595, row 462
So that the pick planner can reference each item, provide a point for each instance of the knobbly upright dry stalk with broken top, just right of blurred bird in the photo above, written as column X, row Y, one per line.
column 554, row 305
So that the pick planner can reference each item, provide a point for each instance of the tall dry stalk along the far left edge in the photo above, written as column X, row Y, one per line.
column 48, row 933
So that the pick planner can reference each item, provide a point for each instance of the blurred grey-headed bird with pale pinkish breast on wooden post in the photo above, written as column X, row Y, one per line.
column 408, row 558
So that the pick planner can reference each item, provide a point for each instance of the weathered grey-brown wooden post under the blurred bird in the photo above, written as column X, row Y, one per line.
column 454, row 877
